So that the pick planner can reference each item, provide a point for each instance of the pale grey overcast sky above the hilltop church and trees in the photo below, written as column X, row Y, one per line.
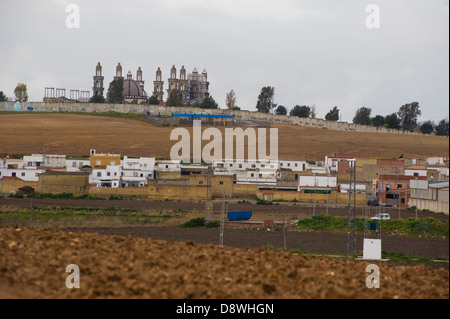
column 314, row 52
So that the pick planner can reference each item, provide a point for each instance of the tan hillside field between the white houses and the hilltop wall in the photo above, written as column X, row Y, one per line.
column 76, row 134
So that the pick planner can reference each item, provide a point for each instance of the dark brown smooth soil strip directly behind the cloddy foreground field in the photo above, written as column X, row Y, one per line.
column 311, row 242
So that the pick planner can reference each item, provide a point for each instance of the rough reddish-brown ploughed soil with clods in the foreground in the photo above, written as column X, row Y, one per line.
column 33, row 265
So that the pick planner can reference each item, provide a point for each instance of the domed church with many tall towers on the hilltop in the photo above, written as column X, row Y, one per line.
column 191, row 88
